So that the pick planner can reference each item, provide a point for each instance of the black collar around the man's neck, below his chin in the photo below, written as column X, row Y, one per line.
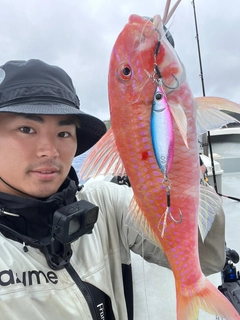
column 35, row 215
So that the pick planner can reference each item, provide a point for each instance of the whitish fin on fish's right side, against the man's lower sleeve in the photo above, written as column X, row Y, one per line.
column 209, row 205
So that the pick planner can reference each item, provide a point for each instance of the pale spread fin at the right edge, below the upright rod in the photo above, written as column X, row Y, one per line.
column 211, row 115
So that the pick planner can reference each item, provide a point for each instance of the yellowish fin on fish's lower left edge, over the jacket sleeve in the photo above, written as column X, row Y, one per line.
column 135, row 219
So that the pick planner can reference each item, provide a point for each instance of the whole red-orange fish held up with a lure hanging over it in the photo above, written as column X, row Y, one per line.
column 164, row 208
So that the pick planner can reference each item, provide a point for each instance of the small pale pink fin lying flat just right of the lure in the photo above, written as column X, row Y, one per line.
column 180, row 118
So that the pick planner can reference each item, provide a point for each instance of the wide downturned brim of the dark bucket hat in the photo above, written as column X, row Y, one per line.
column 91, row 128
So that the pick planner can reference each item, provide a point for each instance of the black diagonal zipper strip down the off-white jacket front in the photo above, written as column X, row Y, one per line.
column 84, row 289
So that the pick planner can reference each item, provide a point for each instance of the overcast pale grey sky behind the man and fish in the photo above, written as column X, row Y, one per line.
column 79, row 35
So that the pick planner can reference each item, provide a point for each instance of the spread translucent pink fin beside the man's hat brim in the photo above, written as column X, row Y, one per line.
column 103, row 159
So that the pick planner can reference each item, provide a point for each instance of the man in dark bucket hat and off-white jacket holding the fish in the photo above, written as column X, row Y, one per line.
column 52, row 265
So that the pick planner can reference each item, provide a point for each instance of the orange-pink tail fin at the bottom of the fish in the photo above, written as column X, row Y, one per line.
column 209, row 299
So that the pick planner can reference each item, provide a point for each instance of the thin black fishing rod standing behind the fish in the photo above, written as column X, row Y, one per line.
column 206, row 138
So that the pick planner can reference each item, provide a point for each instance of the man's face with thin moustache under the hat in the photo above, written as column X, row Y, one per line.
column 36, row 153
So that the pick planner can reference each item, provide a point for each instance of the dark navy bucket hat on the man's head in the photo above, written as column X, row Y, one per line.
column 35, row 87
